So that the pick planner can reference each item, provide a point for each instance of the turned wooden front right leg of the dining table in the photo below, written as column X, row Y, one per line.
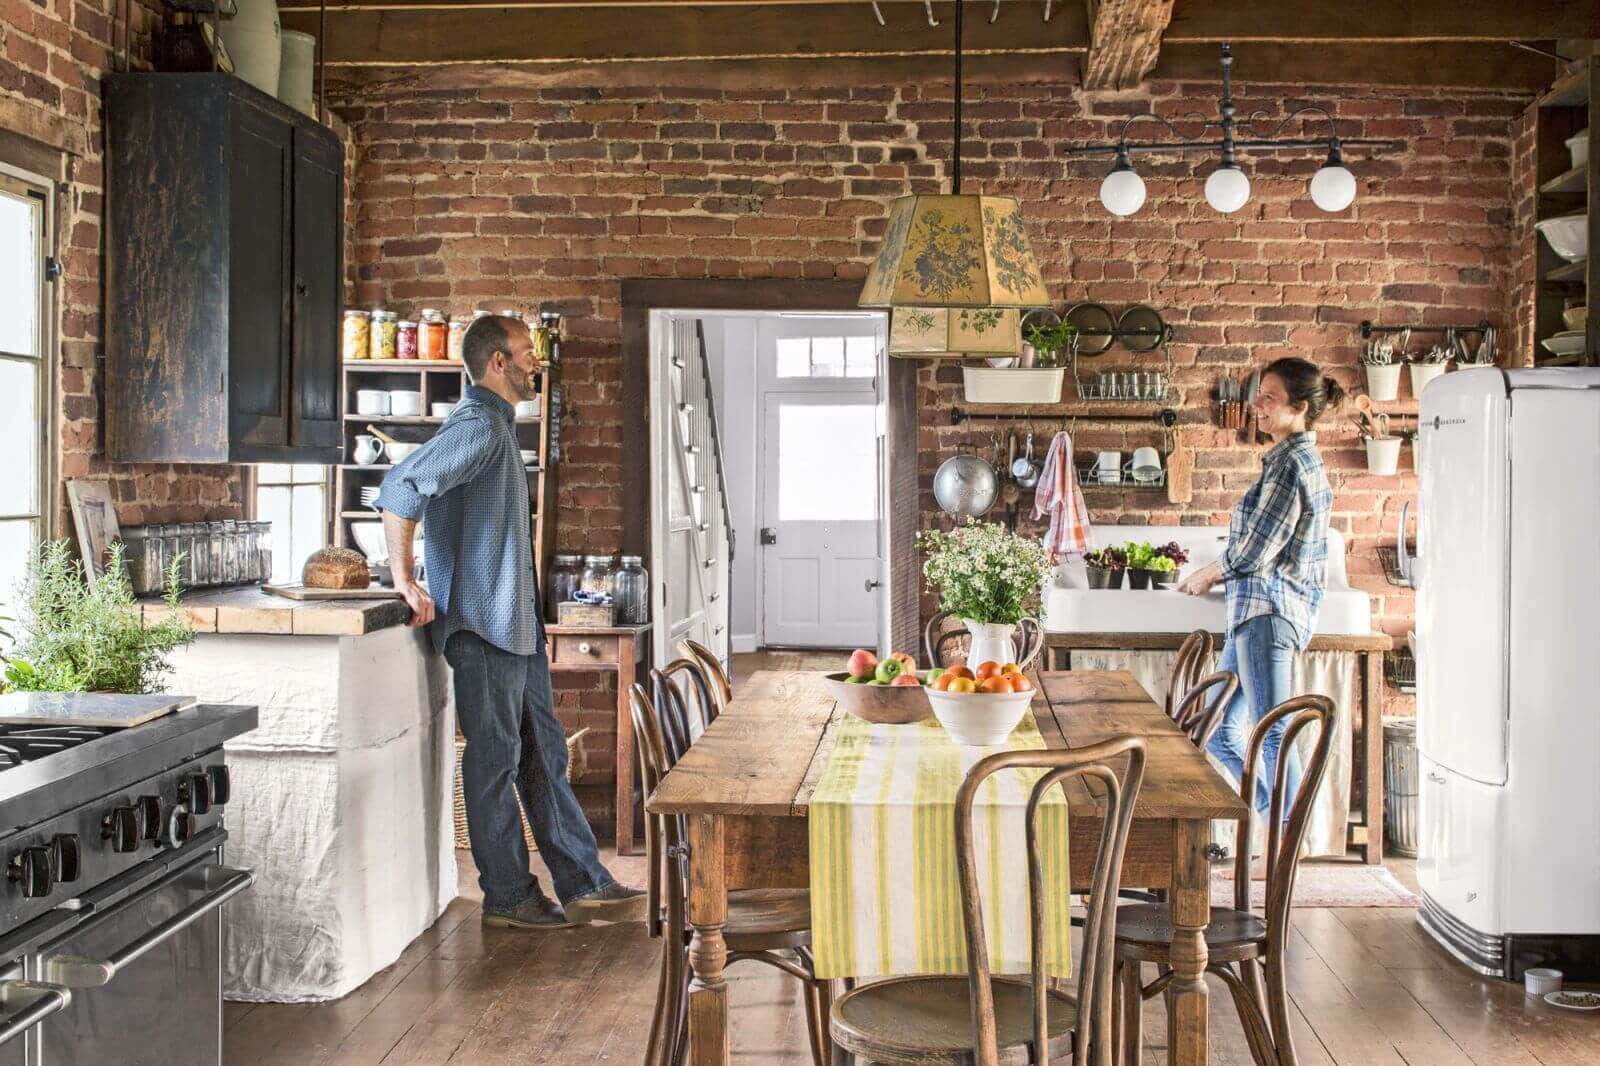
column 1191, row 902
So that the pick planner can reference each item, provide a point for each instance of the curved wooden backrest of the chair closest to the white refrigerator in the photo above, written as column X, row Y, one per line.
column 1284, row 838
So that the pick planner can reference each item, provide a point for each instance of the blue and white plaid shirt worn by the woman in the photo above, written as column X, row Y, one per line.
column 1278, row 542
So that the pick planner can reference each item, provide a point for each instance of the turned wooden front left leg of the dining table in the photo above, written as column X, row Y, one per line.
column 708, row 950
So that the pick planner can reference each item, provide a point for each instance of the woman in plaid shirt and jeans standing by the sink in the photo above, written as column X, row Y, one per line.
column 1276, row 567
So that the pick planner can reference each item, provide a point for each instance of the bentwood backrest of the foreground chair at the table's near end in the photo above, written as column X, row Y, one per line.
column 1095, row 1006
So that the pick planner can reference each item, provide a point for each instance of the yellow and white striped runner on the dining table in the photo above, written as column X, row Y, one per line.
column 886, row 892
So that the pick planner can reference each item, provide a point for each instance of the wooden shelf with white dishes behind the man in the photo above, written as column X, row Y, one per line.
column 407, row 401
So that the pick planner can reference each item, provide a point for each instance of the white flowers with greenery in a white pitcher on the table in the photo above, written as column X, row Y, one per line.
column 991, row 579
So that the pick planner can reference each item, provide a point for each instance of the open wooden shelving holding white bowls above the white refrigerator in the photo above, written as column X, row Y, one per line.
column 1567, row 190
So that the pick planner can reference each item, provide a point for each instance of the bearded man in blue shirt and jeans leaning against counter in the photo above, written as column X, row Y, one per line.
column 484, row 604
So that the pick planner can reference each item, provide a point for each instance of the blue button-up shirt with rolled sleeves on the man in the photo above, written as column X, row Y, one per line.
column 471, row 491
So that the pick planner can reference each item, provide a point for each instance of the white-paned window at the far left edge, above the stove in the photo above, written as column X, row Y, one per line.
column 25, row 375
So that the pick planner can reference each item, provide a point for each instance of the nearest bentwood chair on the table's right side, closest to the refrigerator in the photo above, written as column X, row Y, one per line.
column 1244, row 950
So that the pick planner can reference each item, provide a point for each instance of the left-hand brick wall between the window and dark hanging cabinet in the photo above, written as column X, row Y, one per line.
column 52, row 58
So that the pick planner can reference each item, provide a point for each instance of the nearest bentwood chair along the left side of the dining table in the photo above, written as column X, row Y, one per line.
column 764, row 926
